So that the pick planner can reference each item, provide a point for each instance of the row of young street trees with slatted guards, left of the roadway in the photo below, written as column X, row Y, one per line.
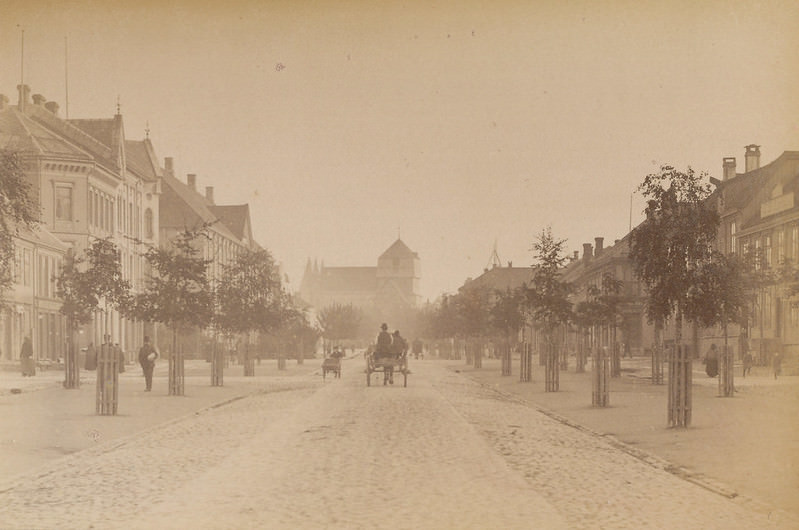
column 178, row 293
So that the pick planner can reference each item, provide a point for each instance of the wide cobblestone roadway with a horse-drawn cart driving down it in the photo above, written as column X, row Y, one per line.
column 445, row 452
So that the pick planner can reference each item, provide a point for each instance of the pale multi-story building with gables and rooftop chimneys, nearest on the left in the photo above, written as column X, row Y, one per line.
column 90, row 183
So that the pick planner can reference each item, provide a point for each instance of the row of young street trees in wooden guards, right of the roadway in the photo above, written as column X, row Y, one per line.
column 686, row 280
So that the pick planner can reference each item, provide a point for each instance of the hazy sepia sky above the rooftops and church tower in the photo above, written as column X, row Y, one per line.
column 341, row 123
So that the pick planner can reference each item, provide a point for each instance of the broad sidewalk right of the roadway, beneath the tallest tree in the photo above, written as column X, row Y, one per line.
column 744, row 446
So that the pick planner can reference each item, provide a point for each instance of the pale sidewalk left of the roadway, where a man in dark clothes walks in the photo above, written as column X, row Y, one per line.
column 45, row 421
